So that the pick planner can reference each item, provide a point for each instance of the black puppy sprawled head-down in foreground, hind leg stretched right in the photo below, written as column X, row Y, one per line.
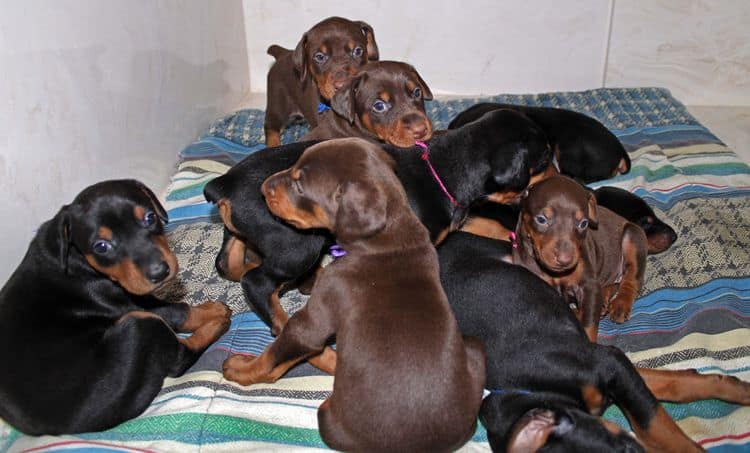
column 547, row 382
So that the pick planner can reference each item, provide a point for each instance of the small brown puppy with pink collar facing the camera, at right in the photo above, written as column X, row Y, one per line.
column 589, row 253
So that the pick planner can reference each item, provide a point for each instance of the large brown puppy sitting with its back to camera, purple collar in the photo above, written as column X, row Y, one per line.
column 383, row 301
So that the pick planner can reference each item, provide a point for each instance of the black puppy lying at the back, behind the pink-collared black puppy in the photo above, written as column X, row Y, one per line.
column 584, row 148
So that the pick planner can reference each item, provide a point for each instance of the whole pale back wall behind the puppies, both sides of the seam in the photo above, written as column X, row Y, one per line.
column 699, row 49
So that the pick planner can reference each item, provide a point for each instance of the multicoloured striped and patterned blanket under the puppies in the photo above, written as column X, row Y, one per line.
column 693, row 312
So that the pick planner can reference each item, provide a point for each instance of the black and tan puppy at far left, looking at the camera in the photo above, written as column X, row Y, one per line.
column 87, row 344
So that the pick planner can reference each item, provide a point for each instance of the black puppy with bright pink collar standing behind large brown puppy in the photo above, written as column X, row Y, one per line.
column 473, row 162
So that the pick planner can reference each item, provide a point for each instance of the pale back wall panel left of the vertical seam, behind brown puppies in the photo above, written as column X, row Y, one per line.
column 468, row 47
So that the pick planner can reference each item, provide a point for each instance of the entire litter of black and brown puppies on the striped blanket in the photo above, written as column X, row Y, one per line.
column 437, row 235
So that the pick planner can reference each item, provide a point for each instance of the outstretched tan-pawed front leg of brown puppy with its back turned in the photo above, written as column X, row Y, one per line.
column 302, row 337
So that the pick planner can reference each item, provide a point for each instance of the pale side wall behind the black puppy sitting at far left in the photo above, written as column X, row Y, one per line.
column 97, row 89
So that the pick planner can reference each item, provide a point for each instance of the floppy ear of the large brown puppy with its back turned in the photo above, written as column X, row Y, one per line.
column 361, row 212
